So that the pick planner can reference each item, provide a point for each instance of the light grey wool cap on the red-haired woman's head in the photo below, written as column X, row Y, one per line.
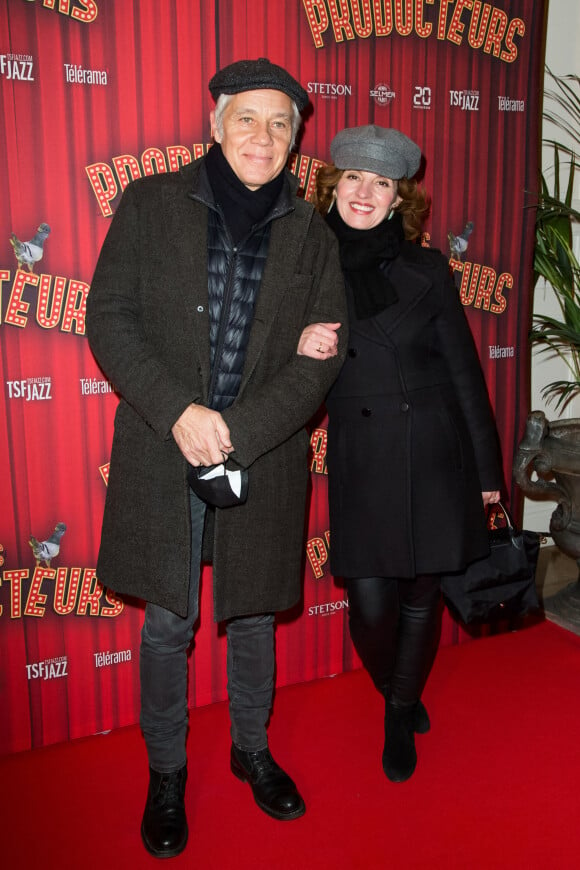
column 383, row 150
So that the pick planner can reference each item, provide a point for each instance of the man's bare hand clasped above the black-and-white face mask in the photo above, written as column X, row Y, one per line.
column 202, row 435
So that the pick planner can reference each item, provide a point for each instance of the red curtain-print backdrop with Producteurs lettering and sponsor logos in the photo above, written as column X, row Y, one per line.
column 97, row 92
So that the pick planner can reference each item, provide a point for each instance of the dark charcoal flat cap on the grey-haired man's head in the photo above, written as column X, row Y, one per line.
column 256, row 75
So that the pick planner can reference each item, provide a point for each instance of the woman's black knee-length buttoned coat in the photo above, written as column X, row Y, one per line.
column 411, row 439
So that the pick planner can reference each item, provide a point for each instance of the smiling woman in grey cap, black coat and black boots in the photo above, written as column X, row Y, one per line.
column 412, row 447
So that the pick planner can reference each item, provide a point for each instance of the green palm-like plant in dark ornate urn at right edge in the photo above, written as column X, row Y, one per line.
column 552, row 449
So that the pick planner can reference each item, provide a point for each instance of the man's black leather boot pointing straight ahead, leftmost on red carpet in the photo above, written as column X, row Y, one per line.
column 164, row 826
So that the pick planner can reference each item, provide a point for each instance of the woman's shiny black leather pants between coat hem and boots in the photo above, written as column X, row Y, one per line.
column 394, row 625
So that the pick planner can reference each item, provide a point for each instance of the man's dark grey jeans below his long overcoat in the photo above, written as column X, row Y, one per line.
column 165, row 640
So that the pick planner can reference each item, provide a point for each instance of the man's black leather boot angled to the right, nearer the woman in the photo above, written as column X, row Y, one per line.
column 273, row 790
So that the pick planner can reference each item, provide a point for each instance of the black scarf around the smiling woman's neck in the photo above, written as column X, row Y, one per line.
column 363, row 256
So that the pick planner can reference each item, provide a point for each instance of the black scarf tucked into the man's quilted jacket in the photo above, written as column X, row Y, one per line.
column 242, row 208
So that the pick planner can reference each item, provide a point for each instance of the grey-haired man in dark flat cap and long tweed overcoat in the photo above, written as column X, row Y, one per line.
column 204, row 284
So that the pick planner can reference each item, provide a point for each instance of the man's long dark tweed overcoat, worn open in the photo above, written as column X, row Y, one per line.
column 147, row 322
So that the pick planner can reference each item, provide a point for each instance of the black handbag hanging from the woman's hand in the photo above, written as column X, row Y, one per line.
column 503, row 585
